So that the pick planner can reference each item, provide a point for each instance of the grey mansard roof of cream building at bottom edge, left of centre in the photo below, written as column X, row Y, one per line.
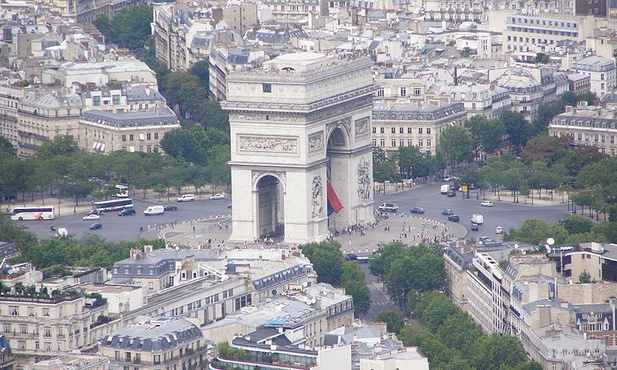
column 156, row 334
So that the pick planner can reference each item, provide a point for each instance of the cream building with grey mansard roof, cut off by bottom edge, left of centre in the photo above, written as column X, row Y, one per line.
column 156, row 343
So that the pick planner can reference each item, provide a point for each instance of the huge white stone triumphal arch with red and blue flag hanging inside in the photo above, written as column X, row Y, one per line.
column 301, row 150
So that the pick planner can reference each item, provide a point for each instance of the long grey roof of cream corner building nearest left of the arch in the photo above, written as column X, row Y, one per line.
column 155, row 117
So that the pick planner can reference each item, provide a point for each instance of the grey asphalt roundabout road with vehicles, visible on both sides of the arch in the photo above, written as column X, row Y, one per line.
column 504, row 213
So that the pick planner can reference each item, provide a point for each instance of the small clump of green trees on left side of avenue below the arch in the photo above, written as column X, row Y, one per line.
column 331, row 268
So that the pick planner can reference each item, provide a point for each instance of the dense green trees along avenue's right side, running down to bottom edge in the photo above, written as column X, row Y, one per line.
column 415, row 277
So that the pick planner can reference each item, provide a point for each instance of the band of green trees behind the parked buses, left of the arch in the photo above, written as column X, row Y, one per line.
column 60, row 168
